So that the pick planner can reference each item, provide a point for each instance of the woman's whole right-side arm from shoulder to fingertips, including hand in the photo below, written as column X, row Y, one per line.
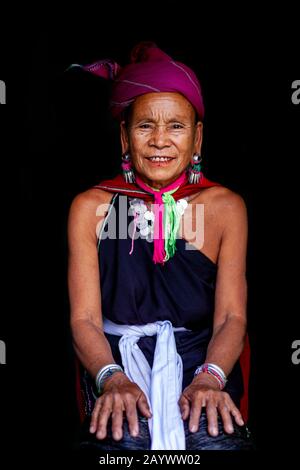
column 229, row 326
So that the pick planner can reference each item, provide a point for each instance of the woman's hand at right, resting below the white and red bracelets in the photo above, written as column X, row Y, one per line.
column 204, row 391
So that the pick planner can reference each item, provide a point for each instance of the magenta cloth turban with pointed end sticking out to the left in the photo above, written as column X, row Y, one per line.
column 151, row 70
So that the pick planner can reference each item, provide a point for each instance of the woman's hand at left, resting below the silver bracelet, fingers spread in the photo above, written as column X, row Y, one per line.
column 119, row 395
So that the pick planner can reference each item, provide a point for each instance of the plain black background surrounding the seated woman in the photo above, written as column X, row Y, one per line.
column 57, row 139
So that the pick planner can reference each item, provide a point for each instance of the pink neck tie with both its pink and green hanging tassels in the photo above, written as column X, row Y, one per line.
column 167, row 216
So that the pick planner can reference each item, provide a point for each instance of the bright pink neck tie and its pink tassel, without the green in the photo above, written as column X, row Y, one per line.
column 159, row 245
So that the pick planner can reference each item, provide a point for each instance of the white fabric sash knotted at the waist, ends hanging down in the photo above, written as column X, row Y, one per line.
column 162, row 385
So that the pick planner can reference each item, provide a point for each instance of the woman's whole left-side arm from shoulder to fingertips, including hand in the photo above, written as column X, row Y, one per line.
column 90, row 343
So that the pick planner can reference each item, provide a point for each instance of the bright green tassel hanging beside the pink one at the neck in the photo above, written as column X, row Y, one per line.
column 171, row 223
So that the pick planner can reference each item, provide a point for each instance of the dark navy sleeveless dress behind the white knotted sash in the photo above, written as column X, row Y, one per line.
column 134, row 290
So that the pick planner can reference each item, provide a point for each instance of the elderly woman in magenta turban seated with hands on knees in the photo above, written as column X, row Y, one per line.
column 157, row 275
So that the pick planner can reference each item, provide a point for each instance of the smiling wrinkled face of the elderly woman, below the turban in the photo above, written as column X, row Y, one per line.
column 161, row 137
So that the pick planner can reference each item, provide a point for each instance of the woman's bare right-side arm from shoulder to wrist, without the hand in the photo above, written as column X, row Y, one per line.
column 230, row 316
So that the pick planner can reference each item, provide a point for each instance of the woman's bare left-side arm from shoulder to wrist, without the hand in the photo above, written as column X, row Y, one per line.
column 90, row 343
